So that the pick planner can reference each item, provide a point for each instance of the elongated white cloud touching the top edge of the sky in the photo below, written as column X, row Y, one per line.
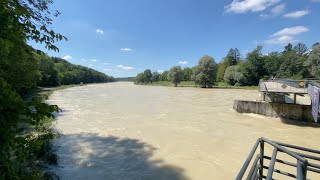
column 243, row 6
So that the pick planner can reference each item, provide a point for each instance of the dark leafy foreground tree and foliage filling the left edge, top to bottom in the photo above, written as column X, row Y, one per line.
column 22, row 20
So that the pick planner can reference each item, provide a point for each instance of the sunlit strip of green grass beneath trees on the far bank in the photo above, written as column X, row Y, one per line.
column 219, row 85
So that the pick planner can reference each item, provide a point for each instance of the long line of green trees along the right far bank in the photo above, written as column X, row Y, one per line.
column 294, row 62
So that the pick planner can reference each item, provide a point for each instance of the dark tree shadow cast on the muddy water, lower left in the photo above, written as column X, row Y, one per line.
column 90, row 156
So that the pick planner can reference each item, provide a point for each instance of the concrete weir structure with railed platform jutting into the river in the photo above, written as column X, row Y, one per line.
column 274, row 97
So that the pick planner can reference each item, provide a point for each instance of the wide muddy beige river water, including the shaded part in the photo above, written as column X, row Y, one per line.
column 126, row 131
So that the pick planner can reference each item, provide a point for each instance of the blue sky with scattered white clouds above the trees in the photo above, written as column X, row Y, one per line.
column 123, row 37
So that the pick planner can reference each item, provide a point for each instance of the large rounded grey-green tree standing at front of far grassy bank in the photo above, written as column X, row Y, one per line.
column 205, row 73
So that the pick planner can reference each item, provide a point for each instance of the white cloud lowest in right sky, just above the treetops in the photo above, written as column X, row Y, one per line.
column 286, row 35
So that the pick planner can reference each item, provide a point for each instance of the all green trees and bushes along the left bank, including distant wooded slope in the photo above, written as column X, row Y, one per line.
column 25, row 123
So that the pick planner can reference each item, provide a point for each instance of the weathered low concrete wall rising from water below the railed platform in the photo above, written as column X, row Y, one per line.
column 287, row 111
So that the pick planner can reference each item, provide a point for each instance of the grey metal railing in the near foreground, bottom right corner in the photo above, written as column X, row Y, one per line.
column 257, row 169
